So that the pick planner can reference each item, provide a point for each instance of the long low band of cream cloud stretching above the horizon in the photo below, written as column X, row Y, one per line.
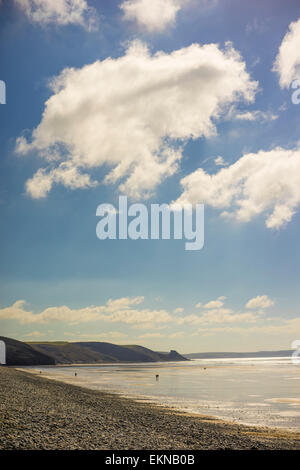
column 127, row 310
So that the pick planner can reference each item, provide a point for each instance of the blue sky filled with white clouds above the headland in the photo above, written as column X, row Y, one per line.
column 168, row 101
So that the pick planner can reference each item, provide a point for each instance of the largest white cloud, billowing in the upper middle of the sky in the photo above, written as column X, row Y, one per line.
column 132, row 114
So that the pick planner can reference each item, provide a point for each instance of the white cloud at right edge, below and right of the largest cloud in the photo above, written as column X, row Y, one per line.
column 267, row 182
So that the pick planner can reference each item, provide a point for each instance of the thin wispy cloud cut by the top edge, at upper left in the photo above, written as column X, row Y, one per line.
column 60, row 12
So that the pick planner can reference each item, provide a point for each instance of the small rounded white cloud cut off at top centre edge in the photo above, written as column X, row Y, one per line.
column 154, row 15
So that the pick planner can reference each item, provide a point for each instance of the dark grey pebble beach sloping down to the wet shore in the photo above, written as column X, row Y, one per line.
column 38, row 413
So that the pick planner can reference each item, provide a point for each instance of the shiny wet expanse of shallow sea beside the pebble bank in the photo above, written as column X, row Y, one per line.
column 256, row 391
